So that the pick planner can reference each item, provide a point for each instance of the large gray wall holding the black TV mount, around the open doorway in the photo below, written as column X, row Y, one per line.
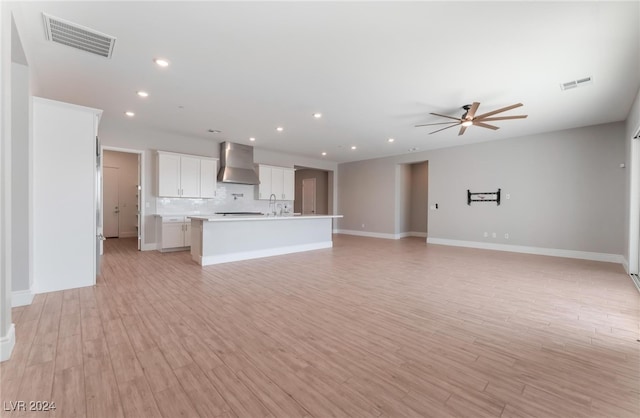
column 566, row 187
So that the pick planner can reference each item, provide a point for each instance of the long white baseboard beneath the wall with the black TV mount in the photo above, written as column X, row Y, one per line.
column 554, row 252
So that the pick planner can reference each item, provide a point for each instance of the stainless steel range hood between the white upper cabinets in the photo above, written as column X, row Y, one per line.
column 236, row 164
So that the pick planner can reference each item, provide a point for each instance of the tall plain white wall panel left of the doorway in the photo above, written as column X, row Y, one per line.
column 64, row 212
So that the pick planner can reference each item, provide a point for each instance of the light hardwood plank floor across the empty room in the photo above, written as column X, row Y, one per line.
column 371, row 327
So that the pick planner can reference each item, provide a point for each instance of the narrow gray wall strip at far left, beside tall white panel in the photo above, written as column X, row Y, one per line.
column 20, row 174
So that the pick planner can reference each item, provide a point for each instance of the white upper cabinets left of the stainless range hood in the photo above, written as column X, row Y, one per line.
column 182, row 175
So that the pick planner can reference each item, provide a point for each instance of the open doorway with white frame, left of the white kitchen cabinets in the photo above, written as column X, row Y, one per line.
column 122, row 195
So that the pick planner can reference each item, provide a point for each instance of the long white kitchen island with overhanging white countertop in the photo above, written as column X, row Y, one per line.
column 221, row 239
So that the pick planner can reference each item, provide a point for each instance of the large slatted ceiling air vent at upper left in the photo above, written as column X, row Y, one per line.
column 79, row 37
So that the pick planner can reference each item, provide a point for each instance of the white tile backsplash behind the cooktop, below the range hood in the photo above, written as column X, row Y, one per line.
column 229, row 198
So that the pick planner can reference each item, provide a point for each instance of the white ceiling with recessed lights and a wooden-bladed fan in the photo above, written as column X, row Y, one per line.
column 373, row 69
